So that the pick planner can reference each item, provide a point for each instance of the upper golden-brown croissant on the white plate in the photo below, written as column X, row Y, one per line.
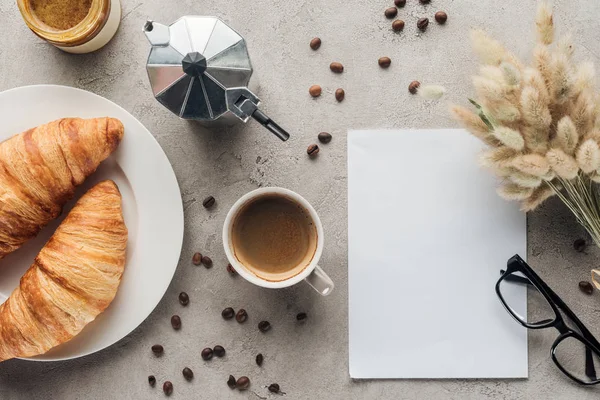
column 40, row 168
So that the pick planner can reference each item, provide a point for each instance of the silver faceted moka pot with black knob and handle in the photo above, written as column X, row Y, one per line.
column 199, row 68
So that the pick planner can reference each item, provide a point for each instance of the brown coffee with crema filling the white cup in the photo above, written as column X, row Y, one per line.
column 274, row 237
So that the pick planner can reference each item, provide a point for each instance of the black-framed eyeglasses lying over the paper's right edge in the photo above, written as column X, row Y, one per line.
column 576, row 352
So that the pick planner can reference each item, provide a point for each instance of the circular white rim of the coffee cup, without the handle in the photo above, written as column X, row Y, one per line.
column 249, row 276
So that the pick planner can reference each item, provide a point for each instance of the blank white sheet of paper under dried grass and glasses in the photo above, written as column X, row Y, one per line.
column 427, row 237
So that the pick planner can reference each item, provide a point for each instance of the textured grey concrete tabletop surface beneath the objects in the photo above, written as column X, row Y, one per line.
column 309, row 361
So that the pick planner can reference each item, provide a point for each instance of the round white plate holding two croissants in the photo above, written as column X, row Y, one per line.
column 152, row 209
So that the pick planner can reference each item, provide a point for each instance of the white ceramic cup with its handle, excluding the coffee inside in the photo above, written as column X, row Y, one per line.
column 312, row 274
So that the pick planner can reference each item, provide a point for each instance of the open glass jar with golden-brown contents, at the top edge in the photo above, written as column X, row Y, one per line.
column 56, row 21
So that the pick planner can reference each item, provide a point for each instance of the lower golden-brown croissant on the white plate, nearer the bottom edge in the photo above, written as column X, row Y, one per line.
column 73, row 279
